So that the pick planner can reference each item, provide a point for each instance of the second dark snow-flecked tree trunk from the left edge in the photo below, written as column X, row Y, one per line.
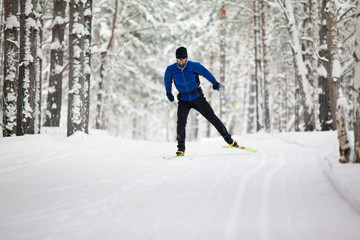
column 27, row 69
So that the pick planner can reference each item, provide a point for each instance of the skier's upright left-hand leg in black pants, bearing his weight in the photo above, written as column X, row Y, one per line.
column 182, row 114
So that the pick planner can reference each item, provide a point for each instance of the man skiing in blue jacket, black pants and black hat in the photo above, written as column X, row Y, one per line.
column 185, row 75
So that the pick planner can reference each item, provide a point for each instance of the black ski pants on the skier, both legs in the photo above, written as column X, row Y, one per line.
column 202, row 106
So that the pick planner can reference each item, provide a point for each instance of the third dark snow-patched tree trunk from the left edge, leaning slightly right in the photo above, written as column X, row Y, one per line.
column 54, row 96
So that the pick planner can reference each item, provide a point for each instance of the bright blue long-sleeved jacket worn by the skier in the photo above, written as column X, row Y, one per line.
column 186, row 80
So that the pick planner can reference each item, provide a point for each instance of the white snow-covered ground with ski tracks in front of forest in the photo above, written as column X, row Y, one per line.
column 101, row 187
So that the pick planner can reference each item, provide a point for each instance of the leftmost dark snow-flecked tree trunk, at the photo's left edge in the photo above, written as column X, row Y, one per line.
column 11, row 56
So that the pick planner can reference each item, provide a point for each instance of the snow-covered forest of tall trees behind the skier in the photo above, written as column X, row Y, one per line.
column 99, row 64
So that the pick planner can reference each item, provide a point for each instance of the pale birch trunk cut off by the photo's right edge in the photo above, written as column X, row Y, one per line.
column 357, row 88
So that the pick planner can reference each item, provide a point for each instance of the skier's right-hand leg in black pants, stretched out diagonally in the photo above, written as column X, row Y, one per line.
column 206, row 110
